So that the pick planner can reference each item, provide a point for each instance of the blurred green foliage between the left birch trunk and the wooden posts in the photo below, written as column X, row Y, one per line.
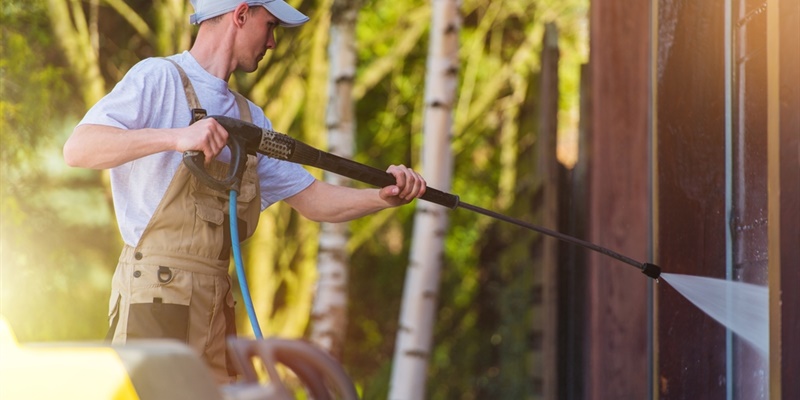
column 500, row 55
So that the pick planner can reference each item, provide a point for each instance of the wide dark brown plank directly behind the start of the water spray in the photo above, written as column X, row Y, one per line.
column 691, row 177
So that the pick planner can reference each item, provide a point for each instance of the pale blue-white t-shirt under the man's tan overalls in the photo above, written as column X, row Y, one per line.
column 151, row 95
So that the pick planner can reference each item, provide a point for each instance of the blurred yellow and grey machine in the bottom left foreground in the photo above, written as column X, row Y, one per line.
column 151, row 370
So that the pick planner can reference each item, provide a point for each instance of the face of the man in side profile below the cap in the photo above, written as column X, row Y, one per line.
column 259, row 36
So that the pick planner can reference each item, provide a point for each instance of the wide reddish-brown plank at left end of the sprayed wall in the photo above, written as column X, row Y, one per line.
column 617, row 295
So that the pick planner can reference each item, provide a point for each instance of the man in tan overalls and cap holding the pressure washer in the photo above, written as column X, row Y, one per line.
column 172, row 280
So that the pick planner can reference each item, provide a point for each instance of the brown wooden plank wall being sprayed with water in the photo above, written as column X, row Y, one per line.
column 663, row 73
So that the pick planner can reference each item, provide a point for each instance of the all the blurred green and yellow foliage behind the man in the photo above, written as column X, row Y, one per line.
column 59, row 240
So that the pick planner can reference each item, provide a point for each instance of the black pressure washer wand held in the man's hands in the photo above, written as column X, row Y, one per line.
column 279, row 146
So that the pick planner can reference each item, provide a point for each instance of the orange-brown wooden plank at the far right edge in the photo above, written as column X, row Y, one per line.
column 784, row 196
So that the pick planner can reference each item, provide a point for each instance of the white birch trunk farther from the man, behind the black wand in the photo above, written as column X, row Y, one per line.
column 420, row 294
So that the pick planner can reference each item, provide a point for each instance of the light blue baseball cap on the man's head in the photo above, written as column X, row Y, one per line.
column 286, row 14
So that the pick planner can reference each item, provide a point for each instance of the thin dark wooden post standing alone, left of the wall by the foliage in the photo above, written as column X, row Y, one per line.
column 549, row 169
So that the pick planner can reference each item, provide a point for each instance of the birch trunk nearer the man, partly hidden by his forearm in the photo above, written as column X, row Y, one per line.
column 329, row 311
